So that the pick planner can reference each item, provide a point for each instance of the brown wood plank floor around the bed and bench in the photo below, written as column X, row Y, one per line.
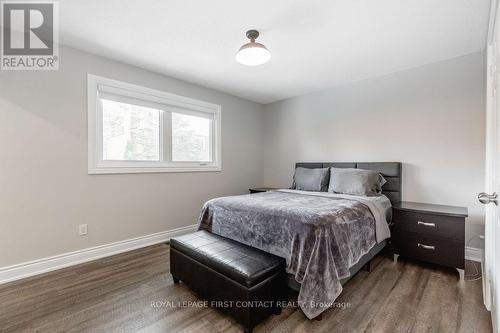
column 134, row 292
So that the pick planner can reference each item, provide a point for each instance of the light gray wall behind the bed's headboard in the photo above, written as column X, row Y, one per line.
column 431, row 118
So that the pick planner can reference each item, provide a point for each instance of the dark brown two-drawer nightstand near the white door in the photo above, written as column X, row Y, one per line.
column 432, row 233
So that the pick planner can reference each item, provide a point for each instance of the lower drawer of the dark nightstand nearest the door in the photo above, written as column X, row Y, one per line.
column 432, row 249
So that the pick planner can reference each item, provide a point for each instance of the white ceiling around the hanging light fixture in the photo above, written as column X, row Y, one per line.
column 314, row 44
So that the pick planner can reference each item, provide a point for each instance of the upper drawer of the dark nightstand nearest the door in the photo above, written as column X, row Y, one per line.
column 433, row 225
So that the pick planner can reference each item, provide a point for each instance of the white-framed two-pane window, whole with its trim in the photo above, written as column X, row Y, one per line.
column 135, row 129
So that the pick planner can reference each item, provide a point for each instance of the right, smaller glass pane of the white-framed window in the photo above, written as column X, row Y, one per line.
column 190, row 138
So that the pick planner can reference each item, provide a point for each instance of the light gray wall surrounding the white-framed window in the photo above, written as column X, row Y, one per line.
column 45, row 191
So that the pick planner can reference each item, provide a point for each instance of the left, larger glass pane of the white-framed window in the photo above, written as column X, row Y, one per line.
column 130, row 132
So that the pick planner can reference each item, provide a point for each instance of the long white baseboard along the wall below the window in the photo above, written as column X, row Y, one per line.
column 27, row 269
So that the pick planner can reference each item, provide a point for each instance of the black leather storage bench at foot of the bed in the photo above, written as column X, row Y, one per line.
column 246, row 283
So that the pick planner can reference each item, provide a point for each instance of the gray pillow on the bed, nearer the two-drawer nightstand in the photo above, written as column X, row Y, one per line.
column 356, row 182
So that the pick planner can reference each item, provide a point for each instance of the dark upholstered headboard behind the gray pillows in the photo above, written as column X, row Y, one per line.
column 390, row 170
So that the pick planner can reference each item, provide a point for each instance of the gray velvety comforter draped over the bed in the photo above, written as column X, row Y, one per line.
column 321, row 235
